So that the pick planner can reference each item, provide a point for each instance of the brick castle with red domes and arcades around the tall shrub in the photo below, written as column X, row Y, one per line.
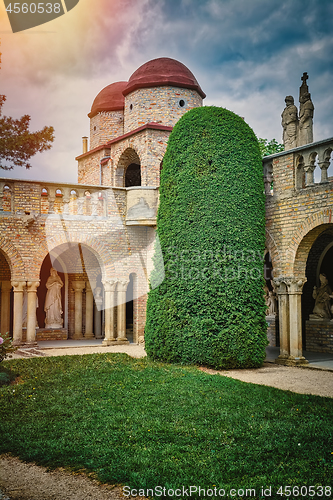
column 75, row 259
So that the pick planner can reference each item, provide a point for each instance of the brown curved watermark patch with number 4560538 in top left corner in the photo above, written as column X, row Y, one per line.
column 24, row 15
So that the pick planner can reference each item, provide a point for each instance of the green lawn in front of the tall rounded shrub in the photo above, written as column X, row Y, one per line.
column 143, row 424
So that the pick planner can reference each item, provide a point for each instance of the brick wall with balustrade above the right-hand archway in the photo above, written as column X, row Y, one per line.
column 297, row 207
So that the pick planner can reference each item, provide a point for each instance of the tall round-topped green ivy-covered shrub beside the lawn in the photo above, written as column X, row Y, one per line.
column 209, row 308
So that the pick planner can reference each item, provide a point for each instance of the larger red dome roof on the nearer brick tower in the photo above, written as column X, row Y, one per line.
column 163, row 71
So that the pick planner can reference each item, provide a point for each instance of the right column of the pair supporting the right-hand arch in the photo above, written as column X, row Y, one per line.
column 295, row 286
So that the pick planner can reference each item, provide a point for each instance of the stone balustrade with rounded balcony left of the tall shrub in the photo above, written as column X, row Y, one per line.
column 30, row 200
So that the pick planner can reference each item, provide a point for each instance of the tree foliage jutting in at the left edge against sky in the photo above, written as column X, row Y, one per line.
column 17, row 143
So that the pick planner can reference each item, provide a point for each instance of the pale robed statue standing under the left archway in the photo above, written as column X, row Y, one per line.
column 52, row 305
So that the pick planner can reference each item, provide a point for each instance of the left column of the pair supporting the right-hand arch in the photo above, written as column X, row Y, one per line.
column 282, row 293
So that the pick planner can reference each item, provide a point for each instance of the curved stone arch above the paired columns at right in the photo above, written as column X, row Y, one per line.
column 304, row 237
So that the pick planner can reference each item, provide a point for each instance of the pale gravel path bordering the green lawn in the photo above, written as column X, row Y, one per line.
column 21, row 481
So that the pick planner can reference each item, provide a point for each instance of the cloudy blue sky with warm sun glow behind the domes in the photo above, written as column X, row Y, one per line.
column 247, row 55
